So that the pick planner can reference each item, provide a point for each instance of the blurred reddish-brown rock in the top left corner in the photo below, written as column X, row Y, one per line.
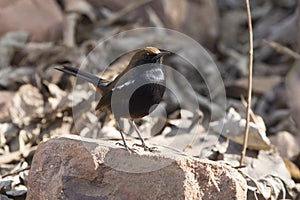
column 44, row 14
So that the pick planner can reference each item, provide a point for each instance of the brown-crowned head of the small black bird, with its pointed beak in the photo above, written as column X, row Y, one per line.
column 147, row 55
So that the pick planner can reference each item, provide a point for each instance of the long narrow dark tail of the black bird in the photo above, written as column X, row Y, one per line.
column 99, row 83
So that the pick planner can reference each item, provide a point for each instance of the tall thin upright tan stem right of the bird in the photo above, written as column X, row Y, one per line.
column 249, row 84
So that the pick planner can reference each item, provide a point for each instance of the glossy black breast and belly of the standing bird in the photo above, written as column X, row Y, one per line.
column 137, row 92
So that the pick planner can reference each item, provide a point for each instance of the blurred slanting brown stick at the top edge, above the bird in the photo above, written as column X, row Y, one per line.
column 132, row 6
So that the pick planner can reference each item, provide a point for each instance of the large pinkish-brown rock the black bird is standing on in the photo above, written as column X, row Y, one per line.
column 77, row 168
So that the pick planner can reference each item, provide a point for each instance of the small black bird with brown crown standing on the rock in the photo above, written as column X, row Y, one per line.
column 134, row 93
